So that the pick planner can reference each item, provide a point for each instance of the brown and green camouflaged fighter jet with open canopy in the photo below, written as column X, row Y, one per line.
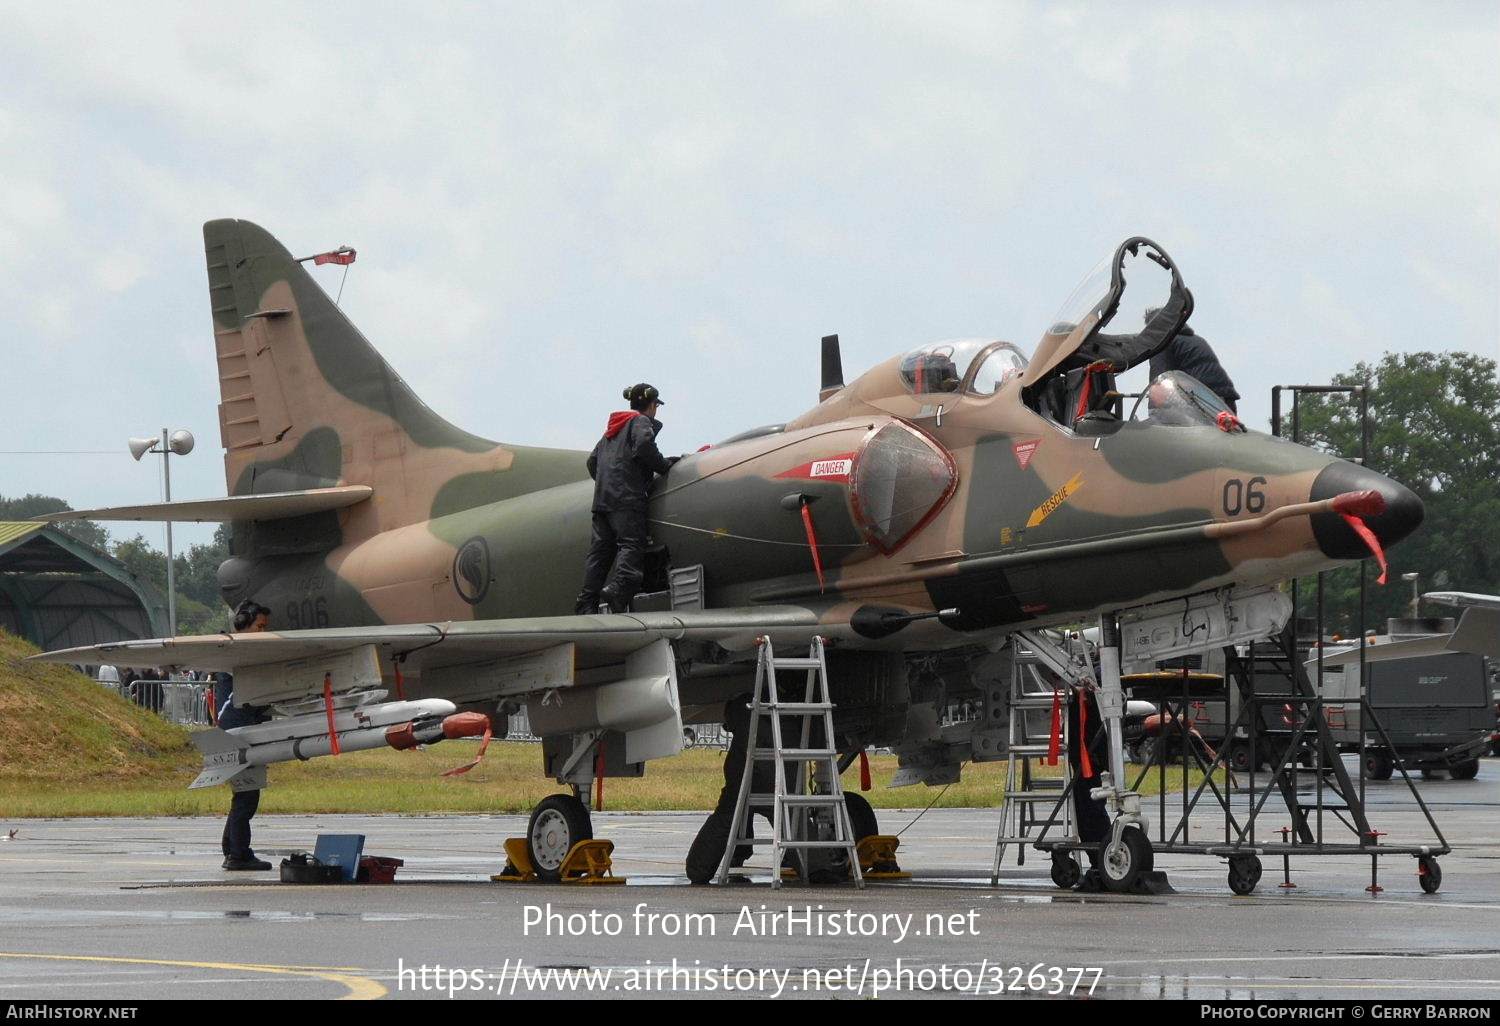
column 914, row 518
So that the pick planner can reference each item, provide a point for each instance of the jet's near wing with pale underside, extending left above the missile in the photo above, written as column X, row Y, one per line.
column 577, row 673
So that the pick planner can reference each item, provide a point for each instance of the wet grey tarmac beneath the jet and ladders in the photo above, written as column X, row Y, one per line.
column 128, row 910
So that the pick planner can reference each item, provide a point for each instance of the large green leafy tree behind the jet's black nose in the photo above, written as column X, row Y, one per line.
column 1435, row 427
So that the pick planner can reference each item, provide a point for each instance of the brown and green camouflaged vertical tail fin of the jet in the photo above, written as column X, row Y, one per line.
column 307, row 403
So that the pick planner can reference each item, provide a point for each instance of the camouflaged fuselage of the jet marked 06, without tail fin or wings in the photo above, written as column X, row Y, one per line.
column 914, row 503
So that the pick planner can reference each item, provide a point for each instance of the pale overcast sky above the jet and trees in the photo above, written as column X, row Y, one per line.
column 556, row 200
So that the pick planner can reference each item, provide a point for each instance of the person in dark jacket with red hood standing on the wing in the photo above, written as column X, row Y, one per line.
column 623, row 466
